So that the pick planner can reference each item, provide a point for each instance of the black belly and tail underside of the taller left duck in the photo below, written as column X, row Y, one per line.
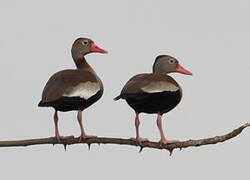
column 72, row 103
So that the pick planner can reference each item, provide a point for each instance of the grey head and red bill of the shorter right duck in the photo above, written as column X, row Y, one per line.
column 166, row 64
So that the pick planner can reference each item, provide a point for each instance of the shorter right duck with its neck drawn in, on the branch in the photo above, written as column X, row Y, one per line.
column 154, row 92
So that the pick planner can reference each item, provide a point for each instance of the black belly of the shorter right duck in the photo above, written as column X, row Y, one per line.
column 151, row 103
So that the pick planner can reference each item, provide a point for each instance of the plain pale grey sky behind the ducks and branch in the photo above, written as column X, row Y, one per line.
column 210, row 38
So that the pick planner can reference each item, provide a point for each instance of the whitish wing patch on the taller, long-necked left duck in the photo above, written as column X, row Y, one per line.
column 83, row 90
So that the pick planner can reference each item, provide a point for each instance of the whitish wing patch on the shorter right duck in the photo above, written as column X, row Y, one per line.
column 159, row 86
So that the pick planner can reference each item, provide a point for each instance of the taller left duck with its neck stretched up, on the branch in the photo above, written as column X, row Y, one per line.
column 74, row 89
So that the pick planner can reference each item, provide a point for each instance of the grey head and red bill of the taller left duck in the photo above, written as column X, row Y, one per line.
column 84, row 46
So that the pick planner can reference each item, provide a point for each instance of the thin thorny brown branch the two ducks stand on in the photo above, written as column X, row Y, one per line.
column 105, row 140
